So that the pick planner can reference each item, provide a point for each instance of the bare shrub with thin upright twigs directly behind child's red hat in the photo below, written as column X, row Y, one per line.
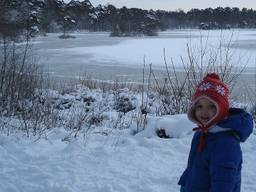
column 221, row 59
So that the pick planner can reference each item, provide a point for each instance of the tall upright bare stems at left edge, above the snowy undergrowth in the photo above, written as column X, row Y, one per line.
column 19, row 75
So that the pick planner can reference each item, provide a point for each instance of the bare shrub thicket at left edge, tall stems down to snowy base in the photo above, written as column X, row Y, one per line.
column 21, row 80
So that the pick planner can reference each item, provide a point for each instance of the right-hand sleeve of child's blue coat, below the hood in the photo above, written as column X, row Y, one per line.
column 225, row 166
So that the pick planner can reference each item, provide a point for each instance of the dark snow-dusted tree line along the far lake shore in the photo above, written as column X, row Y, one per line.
column 32, row 16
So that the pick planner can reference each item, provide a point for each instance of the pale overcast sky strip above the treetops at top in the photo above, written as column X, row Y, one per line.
column 173, row 5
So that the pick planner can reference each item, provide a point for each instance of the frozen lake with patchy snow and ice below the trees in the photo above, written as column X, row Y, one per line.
column 108, row 58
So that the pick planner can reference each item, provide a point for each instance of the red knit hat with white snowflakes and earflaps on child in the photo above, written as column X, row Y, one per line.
column 212, row 88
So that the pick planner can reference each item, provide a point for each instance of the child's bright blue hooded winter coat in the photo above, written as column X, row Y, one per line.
column 218, row 167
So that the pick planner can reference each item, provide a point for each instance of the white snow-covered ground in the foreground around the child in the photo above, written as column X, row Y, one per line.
column 105, row 159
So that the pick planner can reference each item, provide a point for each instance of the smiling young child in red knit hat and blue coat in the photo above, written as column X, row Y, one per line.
column 215, row 158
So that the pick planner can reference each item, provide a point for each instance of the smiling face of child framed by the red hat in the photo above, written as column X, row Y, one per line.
column 205, row 110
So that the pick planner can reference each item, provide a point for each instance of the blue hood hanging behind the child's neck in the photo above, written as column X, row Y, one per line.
column 239, row 121
